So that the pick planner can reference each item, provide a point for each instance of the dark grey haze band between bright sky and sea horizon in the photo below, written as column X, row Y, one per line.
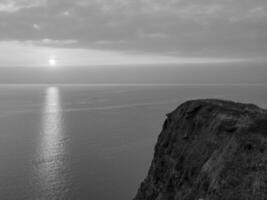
column 224, row 73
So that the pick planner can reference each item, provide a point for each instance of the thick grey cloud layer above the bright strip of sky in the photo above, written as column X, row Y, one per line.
column 227, row 28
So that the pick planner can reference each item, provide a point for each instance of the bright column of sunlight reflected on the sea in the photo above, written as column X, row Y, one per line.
column 51, row 167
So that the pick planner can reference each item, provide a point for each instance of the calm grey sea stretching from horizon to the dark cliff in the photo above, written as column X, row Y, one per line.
column 89, row 141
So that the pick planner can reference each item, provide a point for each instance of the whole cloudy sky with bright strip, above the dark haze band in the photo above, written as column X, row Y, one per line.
column 131, row 32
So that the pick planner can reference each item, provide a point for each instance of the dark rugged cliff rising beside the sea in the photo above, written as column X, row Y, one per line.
column 209, row 150
